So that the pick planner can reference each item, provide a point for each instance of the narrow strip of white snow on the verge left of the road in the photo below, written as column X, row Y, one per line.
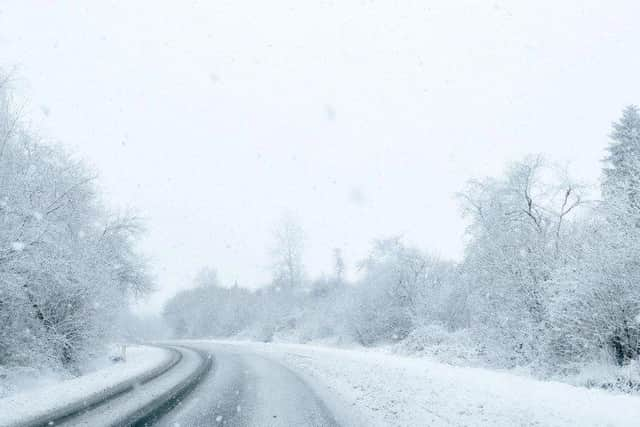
column 42, row 400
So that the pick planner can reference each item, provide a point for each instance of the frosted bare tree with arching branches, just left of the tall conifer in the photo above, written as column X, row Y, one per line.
column 518, row 228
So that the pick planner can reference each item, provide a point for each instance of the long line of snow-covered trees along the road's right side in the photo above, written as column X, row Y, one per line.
column 550, row 276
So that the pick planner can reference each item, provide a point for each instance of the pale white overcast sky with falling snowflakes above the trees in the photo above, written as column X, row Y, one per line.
column 363, row 118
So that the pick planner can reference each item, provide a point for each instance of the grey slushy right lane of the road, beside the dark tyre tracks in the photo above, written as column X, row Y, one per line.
column 244, row 389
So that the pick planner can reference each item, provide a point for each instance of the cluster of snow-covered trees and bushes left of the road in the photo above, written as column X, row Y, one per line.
column 67, row 266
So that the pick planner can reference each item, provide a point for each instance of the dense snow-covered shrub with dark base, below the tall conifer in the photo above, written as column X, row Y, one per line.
column 596, row 306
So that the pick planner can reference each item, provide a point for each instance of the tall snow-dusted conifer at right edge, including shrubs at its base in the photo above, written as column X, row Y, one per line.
column 597, row 313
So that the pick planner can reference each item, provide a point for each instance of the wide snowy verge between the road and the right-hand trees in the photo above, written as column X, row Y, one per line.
column 394, row 390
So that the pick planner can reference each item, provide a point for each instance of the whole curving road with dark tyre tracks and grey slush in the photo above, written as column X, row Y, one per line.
column 200, row 384
